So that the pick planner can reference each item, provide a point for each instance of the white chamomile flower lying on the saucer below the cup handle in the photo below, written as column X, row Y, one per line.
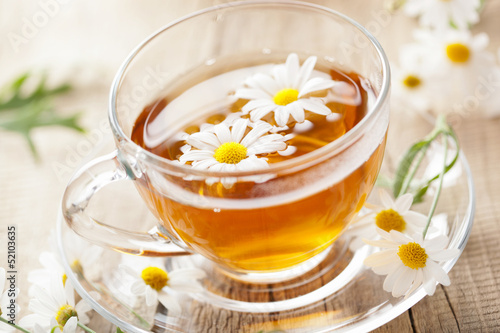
column 155, row 284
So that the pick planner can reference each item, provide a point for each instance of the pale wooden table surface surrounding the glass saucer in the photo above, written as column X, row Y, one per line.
column 99, row 40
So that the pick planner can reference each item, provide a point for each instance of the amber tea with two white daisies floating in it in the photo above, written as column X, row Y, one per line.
column 251, row 118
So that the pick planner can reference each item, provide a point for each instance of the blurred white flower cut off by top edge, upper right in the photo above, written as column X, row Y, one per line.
column 440, row 13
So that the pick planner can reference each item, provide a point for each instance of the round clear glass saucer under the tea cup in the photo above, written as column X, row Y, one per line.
column 339, row 294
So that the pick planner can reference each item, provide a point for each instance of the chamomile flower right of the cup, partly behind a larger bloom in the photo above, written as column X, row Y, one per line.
column 392, row 215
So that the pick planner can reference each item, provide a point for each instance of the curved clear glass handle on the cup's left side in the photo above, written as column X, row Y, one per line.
column 88, row 181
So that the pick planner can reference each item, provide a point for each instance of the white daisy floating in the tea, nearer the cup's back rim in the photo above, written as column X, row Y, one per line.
column 285, row 91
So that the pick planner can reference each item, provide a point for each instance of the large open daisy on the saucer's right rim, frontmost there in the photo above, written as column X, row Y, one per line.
column 410, row 262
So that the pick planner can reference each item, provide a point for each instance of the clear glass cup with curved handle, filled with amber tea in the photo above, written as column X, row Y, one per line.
column 287, row 224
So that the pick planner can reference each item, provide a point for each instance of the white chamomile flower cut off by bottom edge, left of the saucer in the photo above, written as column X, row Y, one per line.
column 56, row 302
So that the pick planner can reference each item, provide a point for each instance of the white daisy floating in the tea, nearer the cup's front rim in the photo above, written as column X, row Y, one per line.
column 230, row 148
